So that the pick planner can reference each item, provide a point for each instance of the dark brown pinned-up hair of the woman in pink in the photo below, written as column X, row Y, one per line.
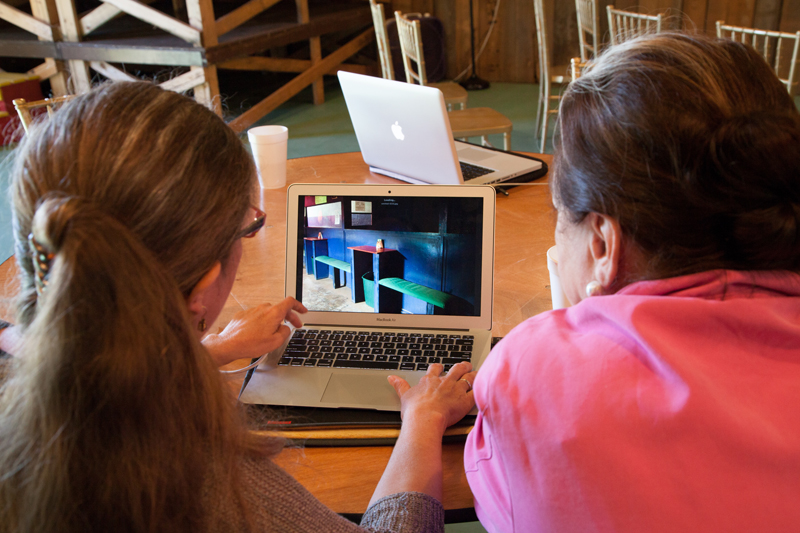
column 692, row 144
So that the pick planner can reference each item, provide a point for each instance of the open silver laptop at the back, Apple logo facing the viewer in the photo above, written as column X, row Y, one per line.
column 404, row 132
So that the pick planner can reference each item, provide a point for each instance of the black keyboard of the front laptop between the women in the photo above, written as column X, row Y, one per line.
column 375, row 350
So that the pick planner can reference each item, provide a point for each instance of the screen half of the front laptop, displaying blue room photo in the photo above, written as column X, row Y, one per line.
column 435, row 269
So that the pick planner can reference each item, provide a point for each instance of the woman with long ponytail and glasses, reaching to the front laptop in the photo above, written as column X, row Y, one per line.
column 129, row 209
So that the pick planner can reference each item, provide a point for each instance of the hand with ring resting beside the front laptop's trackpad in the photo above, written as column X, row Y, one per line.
column 441, row 398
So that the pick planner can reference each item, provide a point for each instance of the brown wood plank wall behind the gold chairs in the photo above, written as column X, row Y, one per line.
column 510, row 54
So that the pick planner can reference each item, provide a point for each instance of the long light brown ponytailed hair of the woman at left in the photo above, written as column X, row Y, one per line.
column 114, row 416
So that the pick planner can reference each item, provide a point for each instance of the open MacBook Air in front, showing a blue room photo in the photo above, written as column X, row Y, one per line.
column 395, row 277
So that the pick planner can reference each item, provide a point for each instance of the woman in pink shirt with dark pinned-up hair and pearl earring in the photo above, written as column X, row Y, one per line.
column 665, row 398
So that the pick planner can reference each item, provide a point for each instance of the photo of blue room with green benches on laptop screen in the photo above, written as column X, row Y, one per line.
column 390, row 254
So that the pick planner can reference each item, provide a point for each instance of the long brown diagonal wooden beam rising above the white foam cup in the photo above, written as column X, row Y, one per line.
column 300, row 82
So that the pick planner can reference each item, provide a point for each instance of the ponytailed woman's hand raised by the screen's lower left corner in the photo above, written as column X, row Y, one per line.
column 255, row 331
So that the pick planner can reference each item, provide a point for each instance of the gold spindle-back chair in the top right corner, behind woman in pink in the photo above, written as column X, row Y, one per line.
column 771, row 45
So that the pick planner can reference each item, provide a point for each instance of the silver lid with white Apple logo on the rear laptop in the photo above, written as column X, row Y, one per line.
column 402, row 128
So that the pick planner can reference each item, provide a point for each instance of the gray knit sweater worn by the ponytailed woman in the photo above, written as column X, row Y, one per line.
column 280, row 504
